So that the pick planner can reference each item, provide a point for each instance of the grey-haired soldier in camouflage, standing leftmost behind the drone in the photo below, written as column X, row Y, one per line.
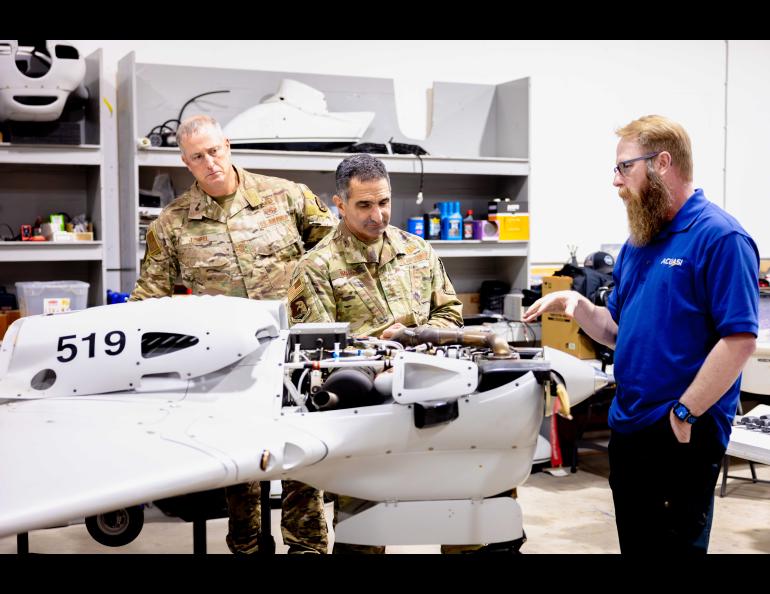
column 241, row 234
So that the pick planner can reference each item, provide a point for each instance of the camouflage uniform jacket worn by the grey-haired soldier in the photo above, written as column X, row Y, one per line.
column 250, row 253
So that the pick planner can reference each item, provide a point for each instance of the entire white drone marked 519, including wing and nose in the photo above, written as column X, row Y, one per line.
column 117, row 405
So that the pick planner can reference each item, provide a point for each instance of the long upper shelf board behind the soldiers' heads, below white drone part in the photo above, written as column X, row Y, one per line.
column 317, row 161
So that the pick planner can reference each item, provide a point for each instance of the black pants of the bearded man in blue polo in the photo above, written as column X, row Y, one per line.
column 664, row 490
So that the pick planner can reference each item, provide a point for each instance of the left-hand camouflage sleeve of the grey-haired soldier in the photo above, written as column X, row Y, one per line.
column 160, row 266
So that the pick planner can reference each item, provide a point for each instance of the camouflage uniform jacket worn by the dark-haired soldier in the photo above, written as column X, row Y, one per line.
column 337, row 281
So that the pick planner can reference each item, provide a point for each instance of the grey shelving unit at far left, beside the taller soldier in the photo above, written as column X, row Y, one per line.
column 49, row 177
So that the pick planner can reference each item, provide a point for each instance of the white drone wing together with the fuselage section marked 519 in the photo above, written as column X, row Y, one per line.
column 197, row 416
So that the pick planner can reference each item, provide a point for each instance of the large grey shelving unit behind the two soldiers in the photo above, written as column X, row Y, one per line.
column 483, row 128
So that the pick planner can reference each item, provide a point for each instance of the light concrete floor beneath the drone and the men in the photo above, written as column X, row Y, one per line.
column 570, row 514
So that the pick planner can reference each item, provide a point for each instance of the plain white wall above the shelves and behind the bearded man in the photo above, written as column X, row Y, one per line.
column 581, row 91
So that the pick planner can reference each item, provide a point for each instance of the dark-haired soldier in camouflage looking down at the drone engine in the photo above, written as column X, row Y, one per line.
column 375, row 276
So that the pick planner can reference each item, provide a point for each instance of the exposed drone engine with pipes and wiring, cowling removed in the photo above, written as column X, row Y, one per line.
column 328, row 369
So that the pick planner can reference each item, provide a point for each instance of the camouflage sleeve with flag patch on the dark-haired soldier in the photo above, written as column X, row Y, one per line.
column 310, row 297
